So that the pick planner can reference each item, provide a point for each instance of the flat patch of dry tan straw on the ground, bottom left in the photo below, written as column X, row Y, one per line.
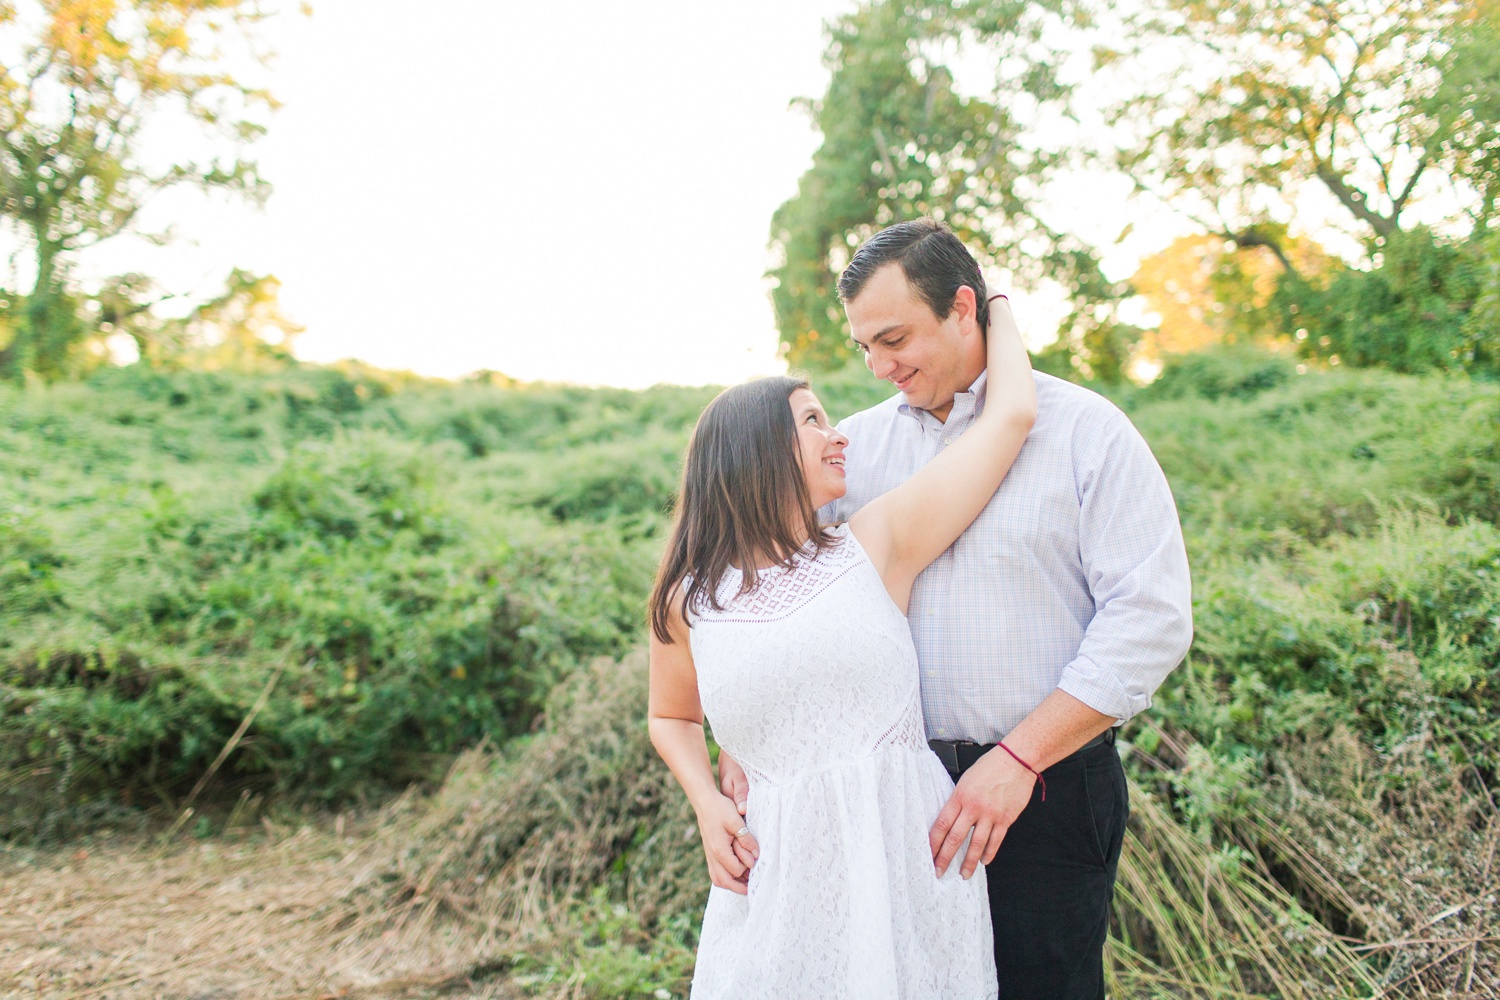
column 218, row 920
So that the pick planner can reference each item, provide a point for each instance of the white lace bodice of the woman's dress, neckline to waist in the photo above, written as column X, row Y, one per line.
column 811, row 669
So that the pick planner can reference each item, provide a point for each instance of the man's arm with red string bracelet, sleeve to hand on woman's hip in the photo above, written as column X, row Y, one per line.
column 1132, row 548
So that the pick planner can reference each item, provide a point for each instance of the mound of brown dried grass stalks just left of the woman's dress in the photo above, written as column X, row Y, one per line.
column 515, row 842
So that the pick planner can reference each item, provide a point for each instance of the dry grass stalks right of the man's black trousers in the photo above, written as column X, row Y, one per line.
column 1357, row 875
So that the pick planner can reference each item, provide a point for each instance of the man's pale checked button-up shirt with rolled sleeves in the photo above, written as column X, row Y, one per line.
column 1073, row 578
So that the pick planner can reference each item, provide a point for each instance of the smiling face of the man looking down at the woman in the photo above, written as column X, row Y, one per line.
column 910, row 347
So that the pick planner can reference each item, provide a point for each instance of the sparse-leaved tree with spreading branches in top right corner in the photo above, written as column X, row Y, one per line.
column 1378, row 103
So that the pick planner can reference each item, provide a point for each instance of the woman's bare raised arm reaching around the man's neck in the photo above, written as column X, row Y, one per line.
column 908, row 528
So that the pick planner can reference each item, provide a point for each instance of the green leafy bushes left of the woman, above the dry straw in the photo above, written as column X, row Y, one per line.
column 170, row 543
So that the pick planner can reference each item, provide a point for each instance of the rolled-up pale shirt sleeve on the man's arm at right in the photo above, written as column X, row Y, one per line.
column 1130, row 546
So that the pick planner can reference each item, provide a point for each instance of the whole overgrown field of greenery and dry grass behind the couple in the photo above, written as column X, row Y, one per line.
column 377, row 582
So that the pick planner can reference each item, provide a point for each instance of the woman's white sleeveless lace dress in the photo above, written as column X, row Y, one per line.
column 811, row 683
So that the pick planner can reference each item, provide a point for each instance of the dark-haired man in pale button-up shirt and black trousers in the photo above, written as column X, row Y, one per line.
column 1048, row 624
